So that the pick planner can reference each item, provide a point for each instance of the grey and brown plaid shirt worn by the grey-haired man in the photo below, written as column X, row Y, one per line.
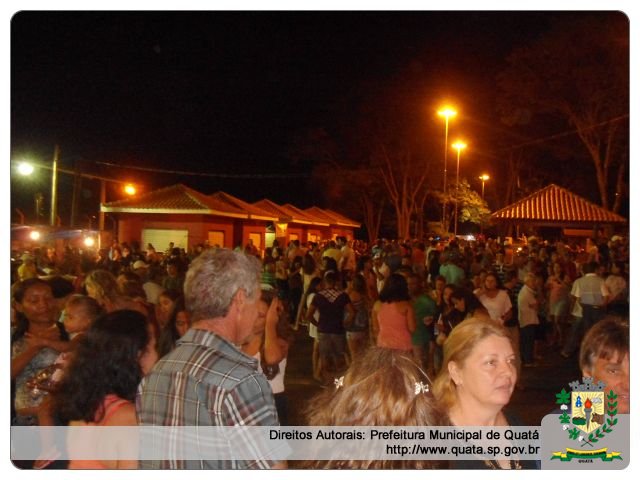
column 205, row 381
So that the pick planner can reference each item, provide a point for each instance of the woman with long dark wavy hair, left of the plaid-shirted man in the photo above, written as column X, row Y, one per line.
column 100, row 383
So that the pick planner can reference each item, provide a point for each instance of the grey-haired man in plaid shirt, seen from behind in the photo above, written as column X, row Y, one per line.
column 206, row 381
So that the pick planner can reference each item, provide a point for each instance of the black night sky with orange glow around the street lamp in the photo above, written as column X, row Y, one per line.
column 228, row 92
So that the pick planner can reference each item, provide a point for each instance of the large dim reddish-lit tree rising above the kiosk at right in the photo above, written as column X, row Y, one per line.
column 579, row 72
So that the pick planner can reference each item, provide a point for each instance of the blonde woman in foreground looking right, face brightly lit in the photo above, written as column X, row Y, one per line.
column 476, row 382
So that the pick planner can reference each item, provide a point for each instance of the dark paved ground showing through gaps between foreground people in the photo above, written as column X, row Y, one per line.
column 531, row 404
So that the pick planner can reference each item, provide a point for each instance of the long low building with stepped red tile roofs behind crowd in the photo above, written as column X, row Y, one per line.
column 187, row 217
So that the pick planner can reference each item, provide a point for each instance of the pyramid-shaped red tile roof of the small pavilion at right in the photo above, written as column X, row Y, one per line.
column 556, row 205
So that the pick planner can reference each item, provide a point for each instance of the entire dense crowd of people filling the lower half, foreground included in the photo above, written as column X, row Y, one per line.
column 201, row 338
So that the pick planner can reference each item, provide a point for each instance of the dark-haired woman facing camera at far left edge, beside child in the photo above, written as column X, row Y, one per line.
column 36, row 342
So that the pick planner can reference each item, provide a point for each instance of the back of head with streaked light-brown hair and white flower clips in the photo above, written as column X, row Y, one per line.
column 382, row 387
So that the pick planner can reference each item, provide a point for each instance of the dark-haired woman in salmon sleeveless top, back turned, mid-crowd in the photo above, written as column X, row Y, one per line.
column 392, row 318
